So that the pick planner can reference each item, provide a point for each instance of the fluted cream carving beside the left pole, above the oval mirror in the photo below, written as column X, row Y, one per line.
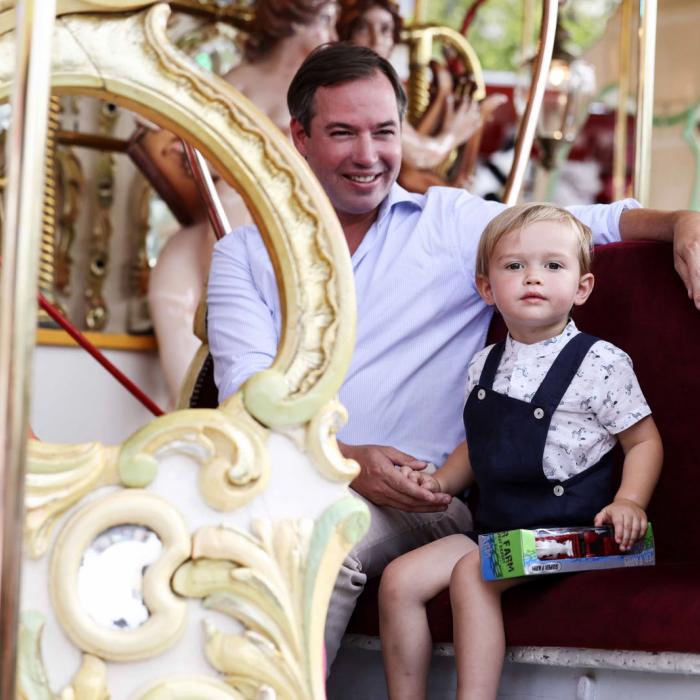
column 58, row 476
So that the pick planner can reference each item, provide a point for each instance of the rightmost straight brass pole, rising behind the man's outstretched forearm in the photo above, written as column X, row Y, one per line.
column 645, row 100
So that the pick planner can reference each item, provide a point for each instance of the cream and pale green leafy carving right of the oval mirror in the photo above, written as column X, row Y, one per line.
column 276, row 582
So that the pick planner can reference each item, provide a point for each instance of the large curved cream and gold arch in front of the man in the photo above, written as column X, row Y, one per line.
column 129, row 60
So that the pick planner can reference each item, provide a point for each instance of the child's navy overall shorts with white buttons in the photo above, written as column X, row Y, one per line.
column 506, row 439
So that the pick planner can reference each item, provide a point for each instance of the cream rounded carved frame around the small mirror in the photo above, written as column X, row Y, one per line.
column 166, row 621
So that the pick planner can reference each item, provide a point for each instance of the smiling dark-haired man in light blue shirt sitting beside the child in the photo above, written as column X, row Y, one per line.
column 420, row 318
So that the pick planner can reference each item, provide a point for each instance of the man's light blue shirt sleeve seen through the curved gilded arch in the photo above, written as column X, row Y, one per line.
column 243, row 318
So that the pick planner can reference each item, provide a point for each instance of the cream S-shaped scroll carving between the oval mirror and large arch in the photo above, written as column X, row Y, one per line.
column 230, row 449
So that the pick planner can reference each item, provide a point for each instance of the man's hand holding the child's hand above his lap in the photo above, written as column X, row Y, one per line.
column 383, row 484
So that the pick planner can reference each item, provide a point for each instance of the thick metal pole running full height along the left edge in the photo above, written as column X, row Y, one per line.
column 21, row 244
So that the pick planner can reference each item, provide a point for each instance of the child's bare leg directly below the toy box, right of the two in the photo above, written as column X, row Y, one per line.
column 479, row 638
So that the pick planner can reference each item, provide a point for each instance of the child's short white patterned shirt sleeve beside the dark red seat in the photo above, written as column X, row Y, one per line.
column 615, row 395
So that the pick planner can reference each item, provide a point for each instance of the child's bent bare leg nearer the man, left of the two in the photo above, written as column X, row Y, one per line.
column 408, row 583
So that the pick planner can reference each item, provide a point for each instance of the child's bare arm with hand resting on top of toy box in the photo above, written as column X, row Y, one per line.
column 640, row 472
